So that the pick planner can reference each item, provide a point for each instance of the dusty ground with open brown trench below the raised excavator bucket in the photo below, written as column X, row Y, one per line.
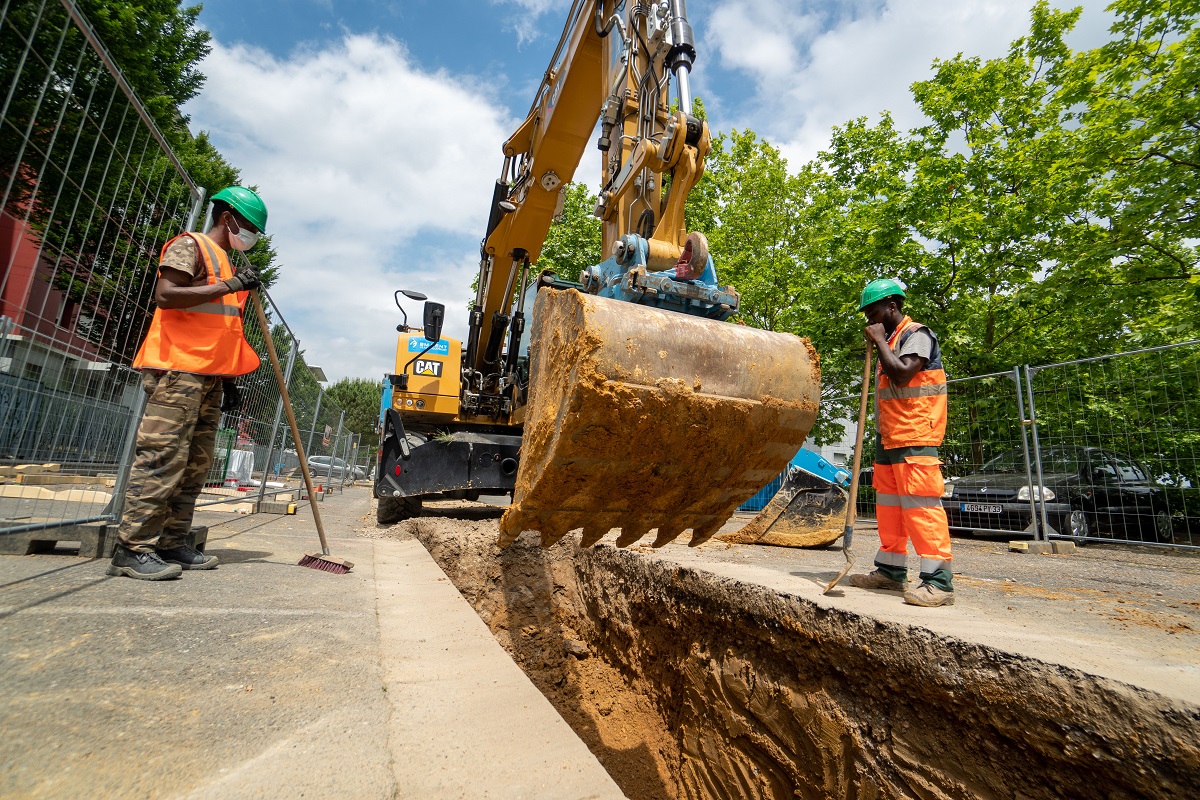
column 721, row 672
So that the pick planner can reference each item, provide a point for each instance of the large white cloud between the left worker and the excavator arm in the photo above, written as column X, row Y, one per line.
column 377, row 177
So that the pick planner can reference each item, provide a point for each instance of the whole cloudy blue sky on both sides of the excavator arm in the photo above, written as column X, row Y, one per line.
column 373, row 129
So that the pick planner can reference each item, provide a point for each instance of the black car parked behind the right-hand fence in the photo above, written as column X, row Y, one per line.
column 1089, row 491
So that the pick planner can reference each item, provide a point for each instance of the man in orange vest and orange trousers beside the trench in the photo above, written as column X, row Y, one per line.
column 910, row 412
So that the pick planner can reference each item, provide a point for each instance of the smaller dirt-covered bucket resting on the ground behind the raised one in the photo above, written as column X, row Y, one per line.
column 806, row 513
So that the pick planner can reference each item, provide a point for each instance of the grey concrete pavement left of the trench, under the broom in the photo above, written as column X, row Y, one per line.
column 262, row 679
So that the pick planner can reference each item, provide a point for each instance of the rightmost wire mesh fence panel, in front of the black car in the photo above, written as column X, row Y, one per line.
column 1118, row 446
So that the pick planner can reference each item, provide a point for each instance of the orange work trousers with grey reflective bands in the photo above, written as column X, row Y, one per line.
column 909, row 507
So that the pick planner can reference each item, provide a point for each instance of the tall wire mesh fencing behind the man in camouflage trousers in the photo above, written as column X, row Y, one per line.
column 91, row 191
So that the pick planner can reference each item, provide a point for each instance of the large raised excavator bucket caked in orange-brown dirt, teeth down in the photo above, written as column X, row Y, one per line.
column 651, row 420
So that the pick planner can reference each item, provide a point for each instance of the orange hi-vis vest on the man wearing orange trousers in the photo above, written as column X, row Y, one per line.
column 914, row 416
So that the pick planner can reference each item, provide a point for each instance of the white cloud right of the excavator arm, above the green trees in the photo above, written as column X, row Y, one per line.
column 861, row 62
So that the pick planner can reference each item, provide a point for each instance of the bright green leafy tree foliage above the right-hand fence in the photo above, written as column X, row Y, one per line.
column 1045, row 210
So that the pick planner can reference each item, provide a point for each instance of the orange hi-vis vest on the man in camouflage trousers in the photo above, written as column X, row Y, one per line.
column 205, row 340
